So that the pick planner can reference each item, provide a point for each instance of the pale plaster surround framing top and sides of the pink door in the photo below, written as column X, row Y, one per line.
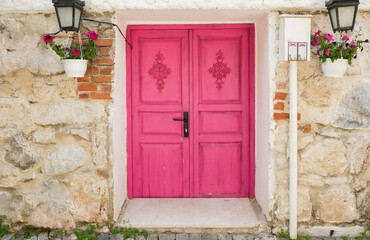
column 263, row 86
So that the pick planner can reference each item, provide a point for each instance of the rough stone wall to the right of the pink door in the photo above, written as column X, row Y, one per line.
column 333, row 140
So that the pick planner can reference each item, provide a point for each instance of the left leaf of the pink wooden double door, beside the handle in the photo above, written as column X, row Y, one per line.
column 160, row 87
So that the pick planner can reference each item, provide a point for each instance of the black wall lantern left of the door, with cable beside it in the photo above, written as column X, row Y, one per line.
column 69, row 14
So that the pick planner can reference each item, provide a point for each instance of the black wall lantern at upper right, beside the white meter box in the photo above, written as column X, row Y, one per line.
column 342, row 14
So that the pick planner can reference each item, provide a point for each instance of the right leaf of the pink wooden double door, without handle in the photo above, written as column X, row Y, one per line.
column 220, row 110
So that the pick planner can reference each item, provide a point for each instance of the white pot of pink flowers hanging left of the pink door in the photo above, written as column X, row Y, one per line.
column 75, row 58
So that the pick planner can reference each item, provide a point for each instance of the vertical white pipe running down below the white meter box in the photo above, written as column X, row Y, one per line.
column 293, row 149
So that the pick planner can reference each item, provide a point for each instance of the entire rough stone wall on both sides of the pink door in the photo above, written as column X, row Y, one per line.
column 56, row 164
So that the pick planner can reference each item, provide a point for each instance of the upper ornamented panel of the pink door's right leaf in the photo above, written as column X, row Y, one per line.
column 219, row 58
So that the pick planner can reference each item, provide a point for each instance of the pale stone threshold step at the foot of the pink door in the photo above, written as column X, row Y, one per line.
column 194, row 215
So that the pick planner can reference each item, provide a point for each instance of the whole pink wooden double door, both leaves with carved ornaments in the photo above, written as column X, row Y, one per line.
column 206, row 70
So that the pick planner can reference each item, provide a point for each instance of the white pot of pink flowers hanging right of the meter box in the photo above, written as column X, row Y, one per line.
column 340, row 53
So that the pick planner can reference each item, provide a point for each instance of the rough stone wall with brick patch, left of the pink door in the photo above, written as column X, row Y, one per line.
column 54, row 141
